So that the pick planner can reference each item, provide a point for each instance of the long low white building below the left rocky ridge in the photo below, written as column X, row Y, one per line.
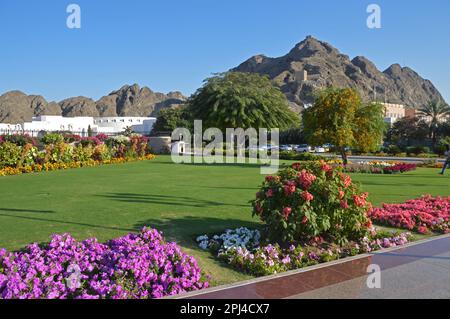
column 81, row 125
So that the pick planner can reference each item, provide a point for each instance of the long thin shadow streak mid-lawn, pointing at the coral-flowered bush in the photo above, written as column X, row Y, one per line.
column 167, row 200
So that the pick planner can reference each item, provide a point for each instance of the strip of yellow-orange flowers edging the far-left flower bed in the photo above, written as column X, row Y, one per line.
column 7, row 171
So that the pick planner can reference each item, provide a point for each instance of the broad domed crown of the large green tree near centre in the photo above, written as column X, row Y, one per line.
column 241, row 100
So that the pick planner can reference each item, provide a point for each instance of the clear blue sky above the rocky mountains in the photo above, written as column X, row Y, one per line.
column 175, row 44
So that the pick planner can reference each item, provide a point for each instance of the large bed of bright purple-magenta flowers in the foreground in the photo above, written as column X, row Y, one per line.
column 134, row 266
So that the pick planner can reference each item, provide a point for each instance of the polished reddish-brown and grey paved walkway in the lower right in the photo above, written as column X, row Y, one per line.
column 420, row 270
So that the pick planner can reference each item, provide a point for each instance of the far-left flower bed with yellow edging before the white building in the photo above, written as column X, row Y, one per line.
column 22, row 154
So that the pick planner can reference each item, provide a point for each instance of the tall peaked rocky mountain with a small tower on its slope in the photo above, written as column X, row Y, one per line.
column 326, row 66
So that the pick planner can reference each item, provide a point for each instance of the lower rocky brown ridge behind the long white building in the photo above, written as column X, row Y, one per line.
column 17, row 107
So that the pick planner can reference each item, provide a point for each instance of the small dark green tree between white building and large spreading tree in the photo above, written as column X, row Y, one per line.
column 170, row 119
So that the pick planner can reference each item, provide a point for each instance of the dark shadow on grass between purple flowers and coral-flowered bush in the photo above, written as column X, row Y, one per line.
column 185, row 229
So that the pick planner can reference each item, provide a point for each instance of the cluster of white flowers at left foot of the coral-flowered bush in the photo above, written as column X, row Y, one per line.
column 231, row 239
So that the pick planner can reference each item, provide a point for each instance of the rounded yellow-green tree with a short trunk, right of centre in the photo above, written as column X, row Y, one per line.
column 338, row 116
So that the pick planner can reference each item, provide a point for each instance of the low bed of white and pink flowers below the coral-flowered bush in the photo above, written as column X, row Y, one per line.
column 246, row 255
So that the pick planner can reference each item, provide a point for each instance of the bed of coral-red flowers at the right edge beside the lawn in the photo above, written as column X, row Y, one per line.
column 423, row 215
